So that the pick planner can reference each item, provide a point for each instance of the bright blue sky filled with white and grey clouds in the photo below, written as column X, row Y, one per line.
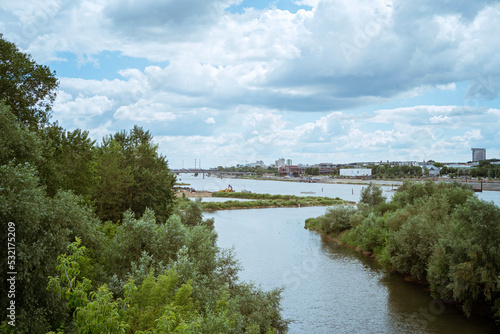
column 234, row 81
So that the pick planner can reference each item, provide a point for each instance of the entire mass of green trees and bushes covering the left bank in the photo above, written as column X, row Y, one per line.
column 101, row 246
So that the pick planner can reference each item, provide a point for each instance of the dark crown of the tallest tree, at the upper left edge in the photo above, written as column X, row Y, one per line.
column 27, row 87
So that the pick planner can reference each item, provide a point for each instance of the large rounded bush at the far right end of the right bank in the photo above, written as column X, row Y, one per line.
column 466, row 265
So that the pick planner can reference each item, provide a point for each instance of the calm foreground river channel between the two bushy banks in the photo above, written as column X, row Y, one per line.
column 329, row 288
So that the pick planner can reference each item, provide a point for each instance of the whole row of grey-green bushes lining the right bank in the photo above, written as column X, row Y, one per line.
column 438, row 233
